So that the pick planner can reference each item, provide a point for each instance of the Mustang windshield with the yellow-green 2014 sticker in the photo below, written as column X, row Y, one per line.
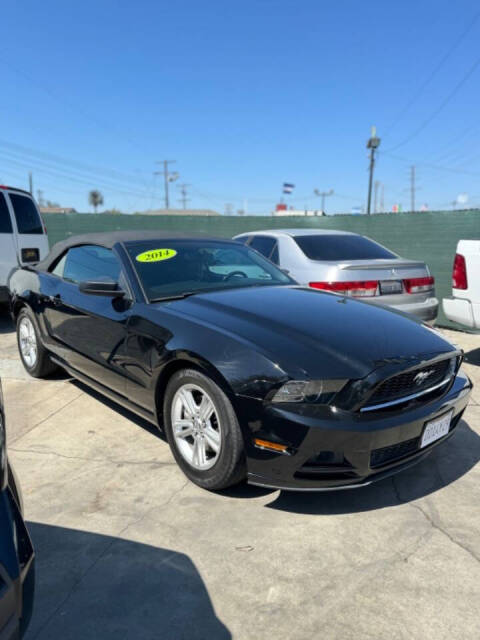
column 175, row 268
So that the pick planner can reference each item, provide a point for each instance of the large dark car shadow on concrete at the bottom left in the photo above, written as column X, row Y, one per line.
column 92, row 586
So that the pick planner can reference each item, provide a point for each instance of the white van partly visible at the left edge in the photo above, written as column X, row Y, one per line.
column 23, row 236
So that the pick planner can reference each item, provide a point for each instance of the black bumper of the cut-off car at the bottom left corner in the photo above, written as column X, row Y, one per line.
column 16, row 570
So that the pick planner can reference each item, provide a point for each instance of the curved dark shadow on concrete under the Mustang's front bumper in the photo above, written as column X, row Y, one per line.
column 446, row 464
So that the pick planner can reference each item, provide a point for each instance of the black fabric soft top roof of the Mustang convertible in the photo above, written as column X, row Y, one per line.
column 110, row 238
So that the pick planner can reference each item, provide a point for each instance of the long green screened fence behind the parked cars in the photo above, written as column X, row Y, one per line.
column 431, row 237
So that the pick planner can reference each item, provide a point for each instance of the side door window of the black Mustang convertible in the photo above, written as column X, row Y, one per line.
column 89, row 262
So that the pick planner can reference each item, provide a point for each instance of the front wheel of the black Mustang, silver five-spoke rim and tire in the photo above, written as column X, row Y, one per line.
column 203, row 431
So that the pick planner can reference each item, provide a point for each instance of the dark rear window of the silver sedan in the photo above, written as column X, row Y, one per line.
column 341, row 247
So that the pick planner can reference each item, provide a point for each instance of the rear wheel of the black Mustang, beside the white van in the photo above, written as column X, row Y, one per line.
column 35, row 358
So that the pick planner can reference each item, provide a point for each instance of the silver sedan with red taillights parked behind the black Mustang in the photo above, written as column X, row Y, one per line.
column 351, row 265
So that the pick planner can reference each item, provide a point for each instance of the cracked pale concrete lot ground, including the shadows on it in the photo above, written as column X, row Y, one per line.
column 128, row 548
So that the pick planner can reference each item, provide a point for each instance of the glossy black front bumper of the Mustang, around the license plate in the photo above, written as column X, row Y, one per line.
column 333, row 449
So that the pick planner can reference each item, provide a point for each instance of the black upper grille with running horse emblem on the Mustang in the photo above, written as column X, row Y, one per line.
column 406, row 384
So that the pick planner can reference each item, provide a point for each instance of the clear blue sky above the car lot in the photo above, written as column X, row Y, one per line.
column 243, row 95
